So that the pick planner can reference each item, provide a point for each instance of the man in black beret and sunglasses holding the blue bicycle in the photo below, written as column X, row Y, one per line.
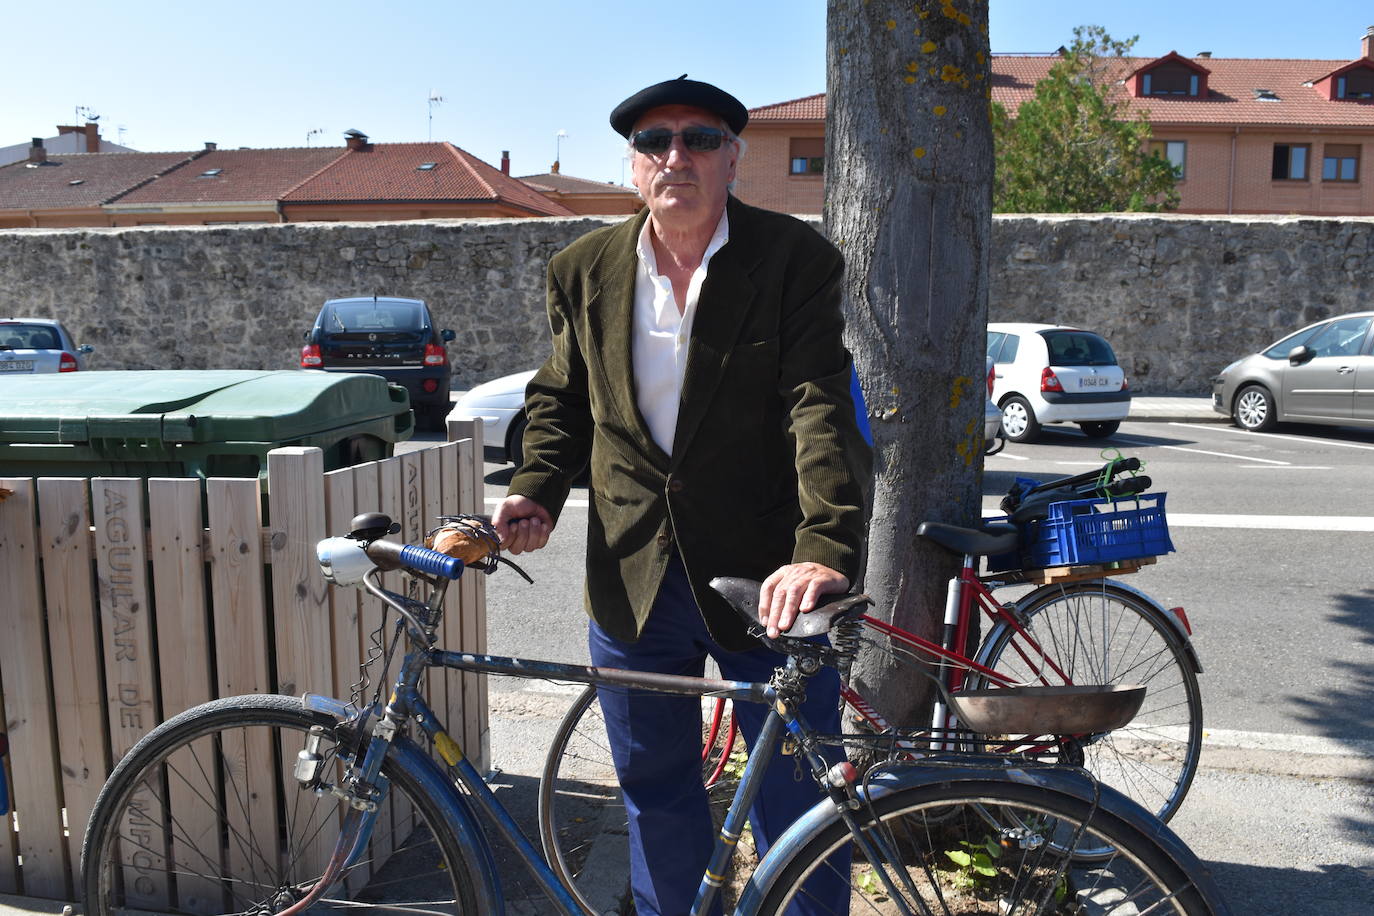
column 699, row 370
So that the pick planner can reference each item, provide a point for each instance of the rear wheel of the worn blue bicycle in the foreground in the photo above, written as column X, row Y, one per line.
column 1142, row 875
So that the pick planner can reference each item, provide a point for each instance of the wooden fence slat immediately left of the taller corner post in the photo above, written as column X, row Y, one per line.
column 241, row 645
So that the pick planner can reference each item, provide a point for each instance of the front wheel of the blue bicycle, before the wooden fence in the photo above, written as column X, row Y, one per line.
column 205, row 816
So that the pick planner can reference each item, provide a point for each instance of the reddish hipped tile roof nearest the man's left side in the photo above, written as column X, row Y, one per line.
column 392, row 172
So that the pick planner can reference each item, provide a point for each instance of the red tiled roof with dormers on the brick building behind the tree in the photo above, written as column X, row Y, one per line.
column 1232, row 94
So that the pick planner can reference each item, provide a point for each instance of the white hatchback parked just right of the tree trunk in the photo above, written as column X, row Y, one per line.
column 1052, row 374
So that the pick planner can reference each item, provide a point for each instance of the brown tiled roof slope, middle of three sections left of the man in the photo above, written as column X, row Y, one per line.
column 244, row 175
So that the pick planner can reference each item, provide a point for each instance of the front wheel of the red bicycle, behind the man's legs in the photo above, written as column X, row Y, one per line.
column 582, row 816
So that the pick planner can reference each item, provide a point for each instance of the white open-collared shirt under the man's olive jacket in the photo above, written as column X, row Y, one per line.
column 660, row 339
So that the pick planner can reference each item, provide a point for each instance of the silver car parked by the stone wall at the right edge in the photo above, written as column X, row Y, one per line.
column 1322, row 374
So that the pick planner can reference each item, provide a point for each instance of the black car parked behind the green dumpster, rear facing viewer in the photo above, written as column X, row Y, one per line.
column 391, row 337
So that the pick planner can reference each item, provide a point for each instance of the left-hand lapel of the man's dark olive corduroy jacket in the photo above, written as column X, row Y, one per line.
column 612, row 322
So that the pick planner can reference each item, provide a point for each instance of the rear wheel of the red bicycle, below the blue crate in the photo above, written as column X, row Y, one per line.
column 1107, row 634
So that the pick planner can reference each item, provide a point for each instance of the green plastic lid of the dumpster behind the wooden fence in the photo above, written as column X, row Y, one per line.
column 192, row 406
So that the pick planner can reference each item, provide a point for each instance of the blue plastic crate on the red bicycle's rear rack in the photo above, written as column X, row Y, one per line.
column 1094, row 531
